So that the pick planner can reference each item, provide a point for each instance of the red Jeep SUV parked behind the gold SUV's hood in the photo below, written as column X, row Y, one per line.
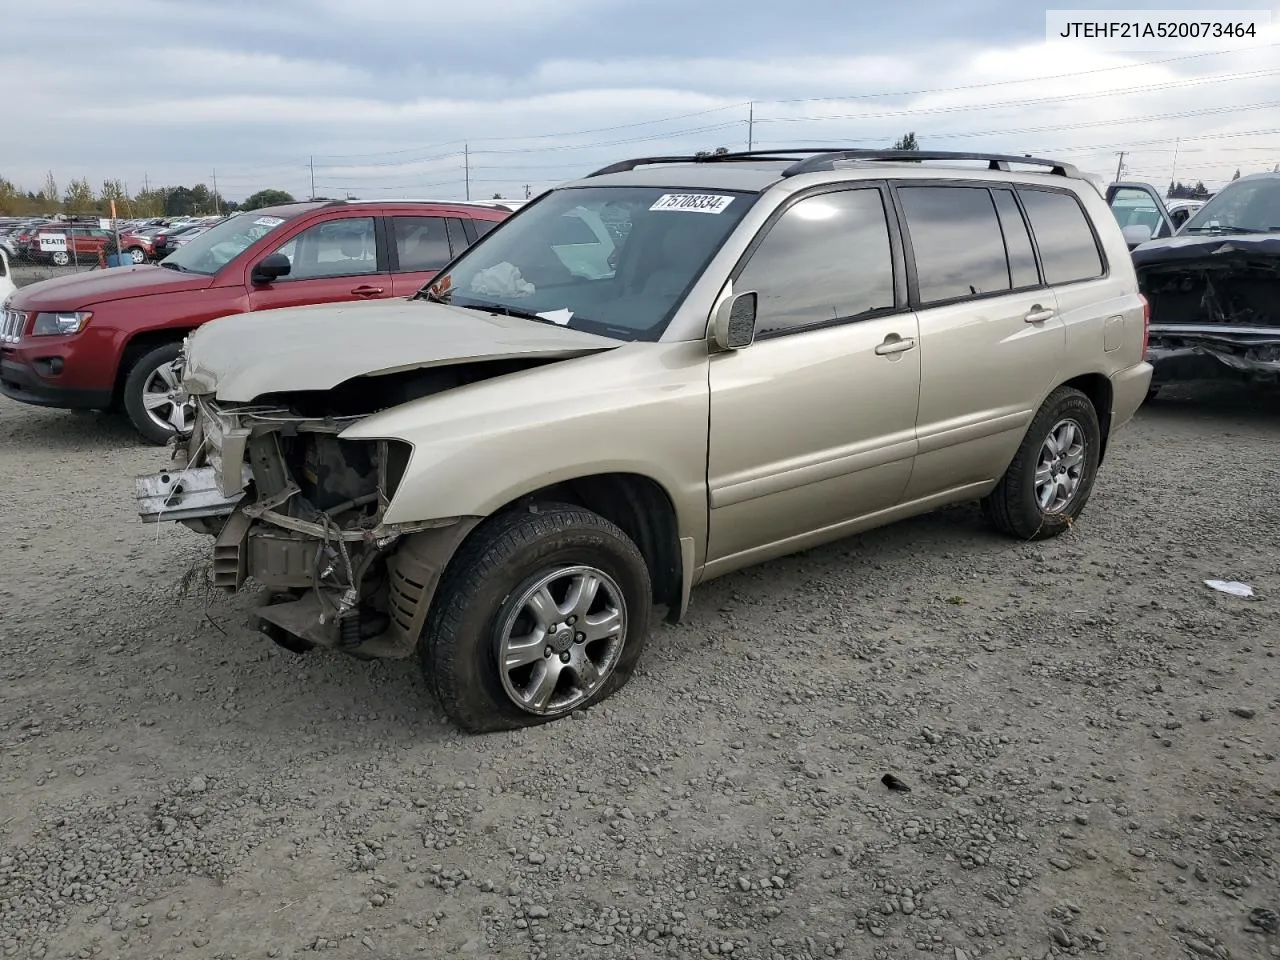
column 107, row 340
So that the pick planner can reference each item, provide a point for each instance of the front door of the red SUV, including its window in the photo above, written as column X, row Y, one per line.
column 339, row 259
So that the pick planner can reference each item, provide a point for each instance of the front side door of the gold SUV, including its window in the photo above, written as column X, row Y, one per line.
column 813, row 426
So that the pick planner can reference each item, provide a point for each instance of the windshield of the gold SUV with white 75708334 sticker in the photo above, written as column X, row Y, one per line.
column 609, row 260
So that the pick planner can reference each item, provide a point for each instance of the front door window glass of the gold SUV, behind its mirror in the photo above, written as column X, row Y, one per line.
column 828, row 258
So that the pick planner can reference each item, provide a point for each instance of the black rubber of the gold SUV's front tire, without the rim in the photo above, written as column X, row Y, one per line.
column 460, row 644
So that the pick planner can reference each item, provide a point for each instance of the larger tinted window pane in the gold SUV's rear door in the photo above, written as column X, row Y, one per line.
column 957, row 240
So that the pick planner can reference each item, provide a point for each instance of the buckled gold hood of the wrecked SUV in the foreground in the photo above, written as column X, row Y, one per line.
column 244, row 356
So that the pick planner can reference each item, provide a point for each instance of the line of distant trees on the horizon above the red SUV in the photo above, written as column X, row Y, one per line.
column 80, row 199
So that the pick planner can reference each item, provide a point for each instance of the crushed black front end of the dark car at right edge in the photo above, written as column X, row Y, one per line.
column 1215, row 316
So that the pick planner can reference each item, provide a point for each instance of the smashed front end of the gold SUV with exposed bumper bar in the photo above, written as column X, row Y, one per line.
column 300, row 511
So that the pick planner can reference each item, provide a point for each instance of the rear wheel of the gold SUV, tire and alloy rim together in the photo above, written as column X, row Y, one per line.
column 1049, row 483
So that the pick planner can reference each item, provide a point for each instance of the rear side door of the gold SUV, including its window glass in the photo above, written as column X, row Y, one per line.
column 993, row 339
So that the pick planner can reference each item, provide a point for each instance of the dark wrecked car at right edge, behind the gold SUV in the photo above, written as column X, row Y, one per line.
column 1215, row 289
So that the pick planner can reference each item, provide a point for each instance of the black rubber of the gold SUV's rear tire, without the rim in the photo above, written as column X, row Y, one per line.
column 1013, row 508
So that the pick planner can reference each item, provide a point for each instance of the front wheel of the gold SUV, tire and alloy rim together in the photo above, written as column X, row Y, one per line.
column 540, row 615
